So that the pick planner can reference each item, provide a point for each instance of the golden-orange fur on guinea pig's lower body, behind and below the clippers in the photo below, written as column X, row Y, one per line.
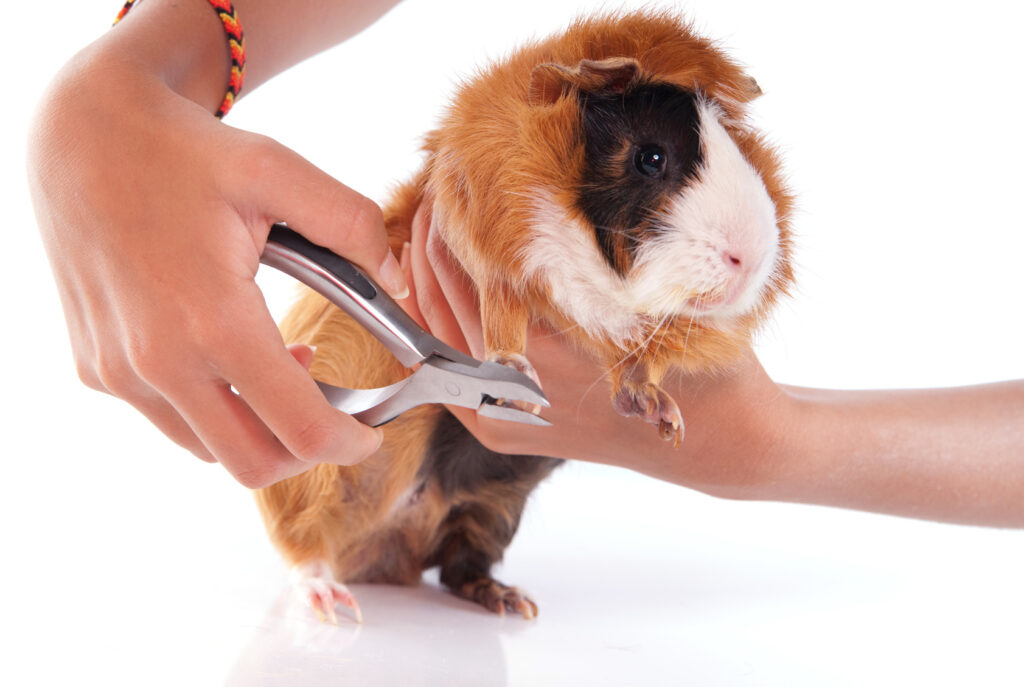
column 333, row 513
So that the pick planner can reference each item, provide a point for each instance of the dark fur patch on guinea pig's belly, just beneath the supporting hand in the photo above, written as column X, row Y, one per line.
column 460, row 464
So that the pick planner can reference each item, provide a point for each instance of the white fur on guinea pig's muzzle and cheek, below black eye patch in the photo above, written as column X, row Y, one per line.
column 726, row 212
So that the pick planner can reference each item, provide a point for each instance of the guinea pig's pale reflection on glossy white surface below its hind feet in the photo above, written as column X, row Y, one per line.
column 412, row 636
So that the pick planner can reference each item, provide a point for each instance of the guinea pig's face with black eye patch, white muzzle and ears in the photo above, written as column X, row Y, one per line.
column 667, row 192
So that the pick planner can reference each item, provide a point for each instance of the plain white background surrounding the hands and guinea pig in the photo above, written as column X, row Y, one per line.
column 132, row 563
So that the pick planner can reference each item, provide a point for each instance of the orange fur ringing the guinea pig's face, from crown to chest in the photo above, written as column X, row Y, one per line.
column 484, row 195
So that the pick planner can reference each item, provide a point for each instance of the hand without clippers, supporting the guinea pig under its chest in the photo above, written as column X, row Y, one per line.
column 734, row 419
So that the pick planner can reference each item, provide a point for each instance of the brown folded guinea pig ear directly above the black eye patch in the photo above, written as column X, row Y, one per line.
column 549, row 81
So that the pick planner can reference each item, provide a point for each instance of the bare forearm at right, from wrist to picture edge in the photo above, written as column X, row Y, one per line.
column 955, row 455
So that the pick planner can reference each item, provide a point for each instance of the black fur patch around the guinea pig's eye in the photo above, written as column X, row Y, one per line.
column 617, row 197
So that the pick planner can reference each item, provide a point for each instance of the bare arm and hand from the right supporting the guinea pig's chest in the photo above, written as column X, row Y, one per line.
column 951, row 455
